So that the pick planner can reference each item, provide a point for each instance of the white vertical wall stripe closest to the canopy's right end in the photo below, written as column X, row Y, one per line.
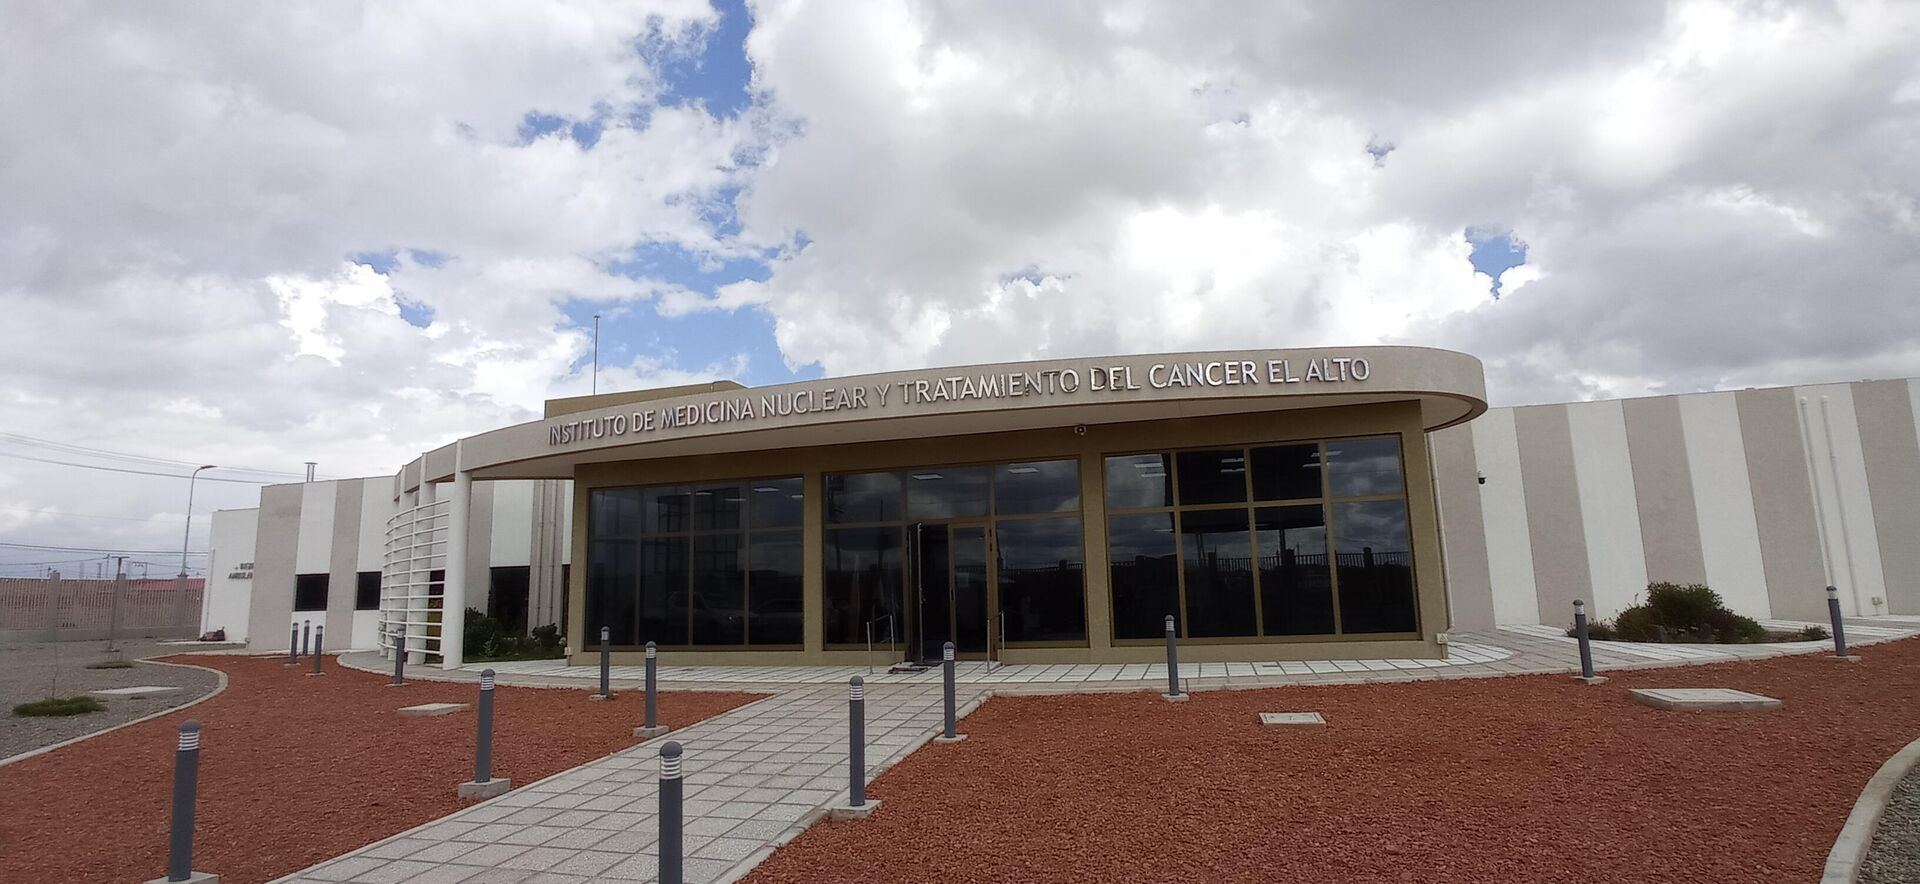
column 1510, row 554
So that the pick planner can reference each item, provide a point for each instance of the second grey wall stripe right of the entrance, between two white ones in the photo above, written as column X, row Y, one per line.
column 1554, row 522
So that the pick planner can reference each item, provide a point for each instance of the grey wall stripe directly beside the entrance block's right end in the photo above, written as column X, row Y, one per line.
column 1470, row 583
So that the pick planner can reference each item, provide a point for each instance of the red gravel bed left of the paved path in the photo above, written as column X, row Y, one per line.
column 295, row 772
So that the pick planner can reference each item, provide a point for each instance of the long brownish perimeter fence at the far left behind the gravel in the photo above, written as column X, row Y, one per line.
column 59, row 610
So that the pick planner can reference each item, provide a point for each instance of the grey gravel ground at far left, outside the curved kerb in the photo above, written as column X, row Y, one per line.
column 34, row 670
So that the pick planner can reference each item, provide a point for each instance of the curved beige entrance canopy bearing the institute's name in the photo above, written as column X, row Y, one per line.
column 1451, row 387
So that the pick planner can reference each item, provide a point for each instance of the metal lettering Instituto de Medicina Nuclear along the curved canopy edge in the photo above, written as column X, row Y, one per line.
column 1097, row 381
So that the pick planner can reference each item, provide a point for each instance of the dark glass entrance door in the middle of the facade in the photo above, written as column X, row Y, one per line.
column 955, row 585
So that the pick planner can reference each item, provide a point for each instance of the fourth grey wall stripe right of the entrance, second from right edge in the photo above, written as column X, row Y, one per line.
column 1783, row 504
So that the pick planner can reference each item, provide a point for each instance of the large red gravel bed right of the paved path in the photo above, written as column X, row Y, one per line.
column 1466, row 781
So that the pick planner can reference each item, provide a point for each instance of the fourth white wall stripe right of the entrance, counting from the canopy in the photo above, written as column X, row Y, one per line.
column 1852, row 543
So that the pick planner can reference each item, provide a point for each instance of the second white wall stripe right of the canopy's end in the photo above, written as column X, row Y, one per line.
column 1610, row 510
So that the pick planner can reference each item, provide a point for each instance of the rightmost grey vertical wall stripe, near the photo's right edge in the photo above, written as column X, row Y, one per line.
column 1890, row 445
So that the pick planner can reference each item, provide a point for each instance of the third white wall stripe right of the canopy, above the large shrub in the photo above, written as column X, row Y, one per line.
column 1723, row 497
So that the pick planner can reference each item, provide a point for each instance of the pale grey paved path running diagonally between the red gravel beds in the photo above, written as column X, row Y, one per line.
column 754, row 779
